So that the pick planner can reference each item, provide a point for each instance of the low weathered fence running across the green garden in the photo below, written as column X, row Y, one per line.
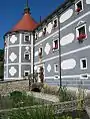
column 57, row 107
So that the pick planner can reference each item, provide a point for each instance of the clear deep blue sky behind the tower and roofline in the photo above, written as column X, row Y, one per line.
column 11, row 12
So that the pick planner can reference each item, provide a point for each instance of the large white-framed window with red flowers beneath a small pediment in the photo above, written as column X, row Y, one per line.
column 81, row 32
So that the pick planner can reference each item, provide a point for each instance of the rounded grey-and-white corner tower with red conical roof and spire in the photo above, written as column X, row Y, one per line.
column 18, row 54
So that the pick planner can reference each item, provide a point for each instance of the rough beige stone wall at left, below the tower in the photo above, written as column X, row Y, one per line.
column 6, row 87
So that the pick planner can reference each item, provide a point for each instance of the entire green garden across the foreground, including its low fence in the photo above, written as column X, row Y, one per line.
column 19, row 105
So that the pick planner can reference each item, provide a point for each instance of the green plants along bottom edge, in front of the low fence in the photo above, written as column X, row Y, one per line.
column 41, row 112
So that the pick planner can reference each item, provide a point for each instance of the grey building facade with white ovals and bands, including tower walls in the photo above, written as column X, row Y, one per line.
column 59, row 44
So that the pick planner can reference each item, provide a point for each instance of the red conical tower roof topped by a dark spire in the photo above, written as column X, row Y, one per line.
column 27, row 23
